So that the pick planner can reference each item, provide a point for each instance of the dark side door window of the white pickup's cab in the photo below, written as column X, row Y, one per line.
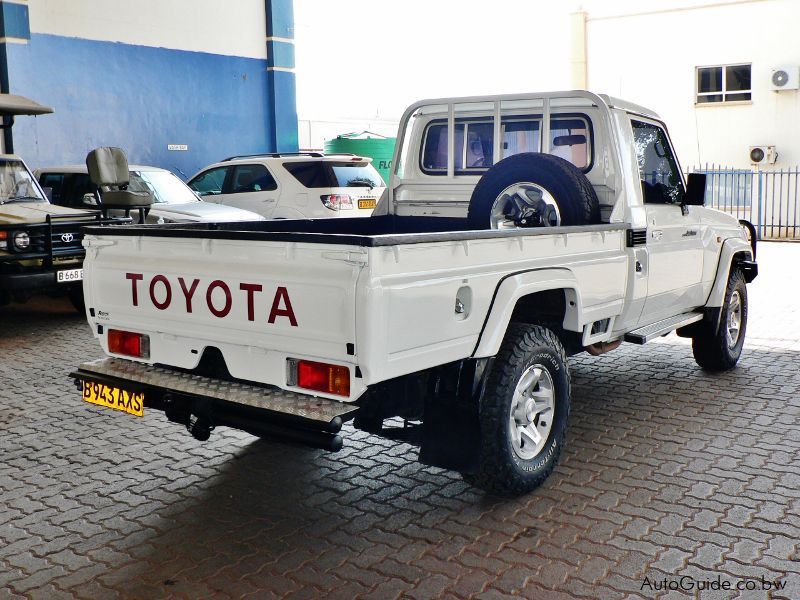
column 658, row 170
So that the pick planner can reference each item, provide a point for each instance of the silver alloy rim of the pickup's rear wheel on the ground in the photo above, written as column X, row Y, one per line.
column 531, row 415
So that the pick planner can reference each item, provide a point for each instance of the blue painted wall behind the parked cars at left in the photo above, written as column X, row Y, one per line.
column 142, row 99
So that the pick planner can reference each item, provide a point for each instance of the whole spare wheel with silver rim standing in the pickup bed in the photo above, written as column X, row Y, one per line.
column 533, row 190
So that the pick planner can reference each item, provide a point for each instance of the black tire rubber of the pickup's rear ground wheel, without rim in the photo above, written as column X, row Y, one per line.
column 501, row 471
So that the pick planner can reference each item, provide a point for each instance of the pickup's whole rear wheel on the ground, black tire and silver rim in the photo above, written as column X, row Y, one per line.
column 524, row 413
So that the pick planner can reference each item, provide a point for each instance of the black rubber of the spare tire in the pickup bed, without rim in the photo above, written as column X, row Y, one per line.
column 576, row 199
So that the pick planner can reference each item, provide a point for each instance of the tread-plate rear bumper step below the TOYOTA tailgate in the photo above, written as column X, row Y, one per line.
column 262, row 411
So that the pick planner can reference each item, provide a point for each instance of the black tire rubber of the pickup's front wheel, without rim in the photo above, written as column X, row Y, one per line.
column 711, row 348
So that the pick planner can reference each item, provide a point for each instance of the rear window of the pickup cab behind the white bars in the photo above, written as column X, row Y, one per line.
column 570, row 139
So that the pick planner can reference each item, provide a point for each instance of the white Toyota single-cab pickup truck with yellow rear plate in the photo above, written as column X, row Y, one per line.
column 516, row 231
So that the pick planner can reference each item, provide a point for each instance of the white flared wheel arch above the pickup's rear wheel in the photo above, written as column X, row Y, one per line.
column 530, row 296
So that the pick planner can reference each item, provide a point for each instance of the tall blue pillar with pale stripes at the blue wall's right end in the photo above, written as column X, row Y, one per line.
column 280, row 76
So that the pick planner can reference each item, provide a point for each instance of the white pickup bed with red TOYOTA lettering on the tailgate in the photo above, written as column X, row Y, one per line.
column 377, row 295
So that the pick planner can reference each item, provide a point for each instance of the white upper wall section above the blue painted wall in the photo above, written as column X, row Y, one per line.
column 233, row 28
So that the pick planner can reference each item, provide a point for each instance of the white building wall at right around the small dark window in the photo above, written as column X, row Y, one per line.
column 650, row 59
